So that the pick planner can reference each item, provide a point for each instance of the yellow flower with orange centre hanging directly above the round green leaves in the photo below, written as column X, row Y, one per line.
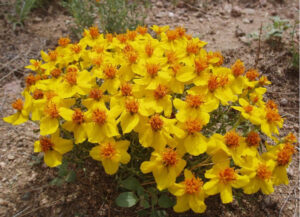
column 111, row 153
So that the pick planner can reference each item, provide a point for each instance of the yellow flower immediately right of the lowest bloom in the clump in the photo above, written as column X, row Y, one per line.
column 222, row 179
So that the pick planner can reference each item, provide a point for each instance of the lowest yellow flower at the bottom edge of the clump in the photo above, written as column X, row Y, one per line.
column 189, row 193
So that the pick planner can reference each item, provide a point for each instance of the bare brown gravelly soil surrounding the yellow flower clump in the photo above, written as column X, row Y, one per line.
column 225, row 25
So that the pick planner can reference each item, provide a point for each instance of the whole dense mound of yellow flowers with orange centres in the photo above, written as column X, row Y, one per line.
column 203, row 123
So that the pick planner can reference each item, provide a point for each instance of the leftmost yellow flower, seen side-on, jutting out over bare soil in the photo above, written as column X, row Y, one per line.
column 23, row 110
